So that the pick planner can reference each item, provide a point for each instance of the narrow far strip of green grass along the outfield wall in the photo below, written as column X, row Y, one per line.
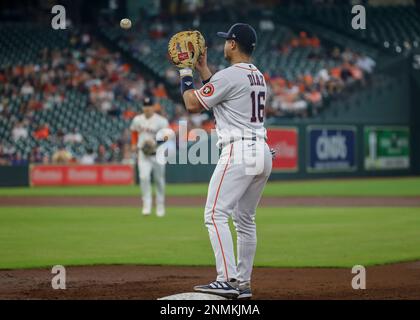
column 338, row 187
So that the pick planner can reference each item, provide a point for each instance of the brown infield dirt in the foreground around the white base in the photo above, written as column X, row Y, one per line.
column 397, row 281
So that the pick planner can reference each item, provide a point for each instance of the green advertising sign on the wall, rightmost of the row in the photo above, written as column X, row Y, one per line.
column 387, row 148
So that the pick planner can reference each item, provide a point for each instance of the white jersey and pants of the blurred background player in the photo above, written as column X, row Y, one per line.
column 147, row 130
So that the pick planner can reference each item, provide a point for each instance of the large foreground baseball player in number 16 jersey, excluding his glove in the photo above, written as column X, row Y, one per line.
column 237, row 97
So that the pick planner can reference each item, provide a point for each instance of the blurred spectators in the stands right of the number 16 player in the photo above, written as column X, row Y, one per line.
column 308, row 93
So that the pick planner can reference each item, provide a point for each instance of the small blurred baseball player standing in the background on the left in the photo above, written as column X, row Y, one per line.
column 145, row 130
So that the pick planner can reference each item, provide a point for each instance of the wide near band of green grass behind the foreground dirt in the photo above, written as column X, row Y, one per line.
column 292, row 237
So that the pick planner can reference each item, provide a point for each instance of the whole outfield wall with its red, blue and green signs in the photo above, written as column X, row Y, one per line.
column 305, row 151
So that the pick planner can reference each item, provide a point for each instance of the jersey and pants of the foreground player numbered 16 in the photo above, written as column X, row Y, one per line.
column 237, row 97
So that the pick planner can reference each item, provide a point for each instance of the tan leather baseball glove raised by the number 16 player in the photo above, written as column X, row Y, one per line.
column 185, row 48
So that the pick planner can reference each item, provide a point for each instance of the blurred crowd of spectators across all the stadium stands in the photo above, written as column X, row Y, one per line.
column 86, row 66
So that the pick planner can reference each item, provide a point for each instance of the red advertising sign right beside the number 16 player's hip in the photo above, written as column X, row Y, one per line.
column 285, row 142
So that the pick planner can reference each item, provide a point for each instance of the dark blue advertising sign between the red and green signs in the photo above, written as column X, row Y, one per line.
column 331, row 148
